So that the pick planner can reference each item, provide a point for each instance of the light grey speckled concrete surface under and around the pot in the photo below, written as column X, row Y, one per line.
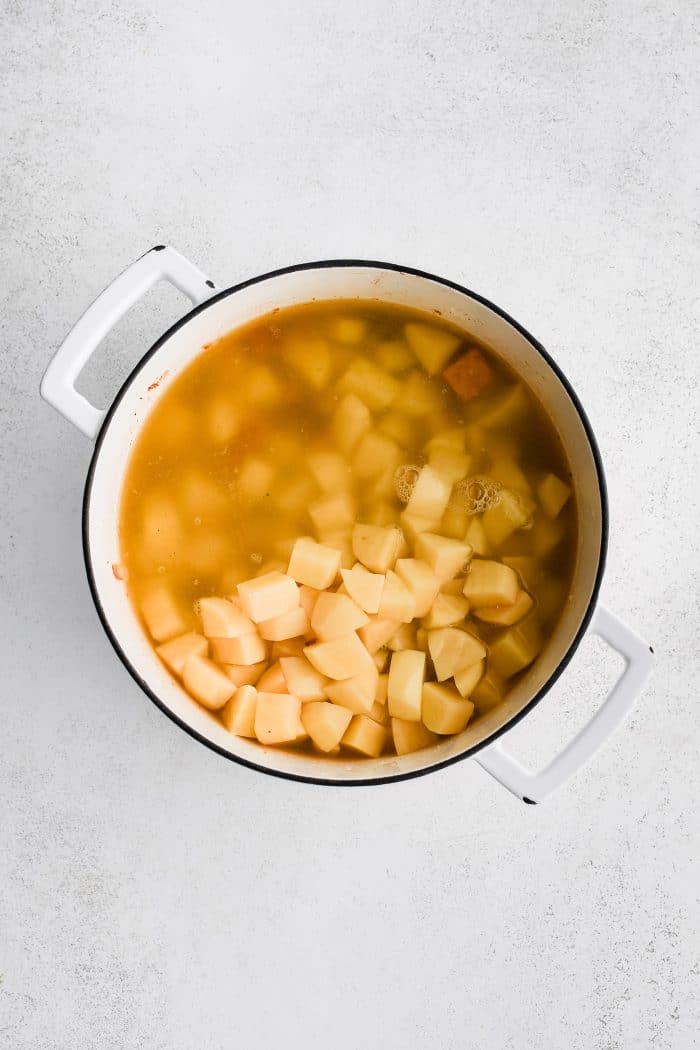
column 153, row 895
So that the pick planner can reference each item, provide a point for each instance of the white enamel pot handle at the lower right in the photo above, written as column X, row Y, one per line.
column 536, row 787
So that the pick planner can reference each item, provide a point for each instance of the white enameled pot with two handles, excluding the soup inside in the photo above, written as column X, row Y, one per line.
column 216, row 313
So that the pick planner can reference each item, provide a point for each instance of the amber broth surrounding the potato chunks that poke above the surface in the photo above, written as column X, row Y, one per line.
column 260, row 442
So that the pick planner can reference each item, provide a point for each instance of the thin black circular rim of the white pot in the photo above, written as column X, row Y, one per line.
column 576, row 642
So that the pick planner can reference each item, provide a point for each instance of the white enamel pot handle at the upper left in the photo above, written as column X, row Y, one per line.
column 58, row 388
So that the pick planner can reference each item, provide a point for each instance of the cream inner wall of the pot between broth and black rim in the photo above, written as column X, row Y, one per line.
column 237, row 308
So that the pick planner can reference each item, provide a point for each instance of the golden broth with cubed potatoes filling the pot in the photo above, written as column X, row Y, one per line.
column 348, row 528
